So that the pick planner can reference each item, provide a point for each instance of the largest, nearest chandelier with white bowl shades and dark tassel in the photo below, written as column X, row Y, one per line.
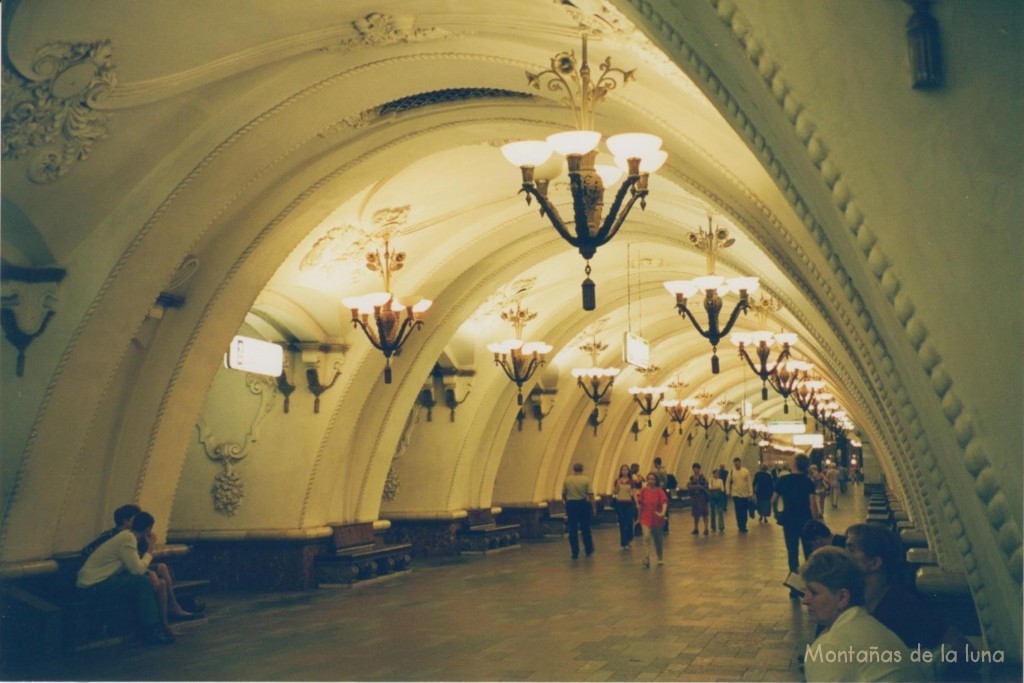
column 636, row 154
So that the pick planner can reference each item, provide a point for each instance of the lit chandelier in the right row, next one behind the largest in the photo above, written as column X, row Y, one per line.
column 714, row 288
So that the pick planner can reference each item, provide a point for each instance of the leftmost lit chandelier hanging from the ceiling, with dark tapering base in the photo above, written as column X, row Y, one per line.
column 390, row 330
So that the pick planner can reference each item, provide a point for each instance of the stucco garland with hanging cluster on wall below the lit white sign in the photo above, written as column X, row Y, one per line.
column 229, row 490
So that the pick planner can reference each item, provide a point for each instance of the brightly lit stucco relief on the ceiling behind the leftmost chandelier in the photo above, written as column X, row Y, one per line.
column 347, row 246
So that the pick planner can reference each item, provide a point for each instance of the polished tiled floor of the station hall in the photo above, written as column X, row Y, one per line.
column 716, row 611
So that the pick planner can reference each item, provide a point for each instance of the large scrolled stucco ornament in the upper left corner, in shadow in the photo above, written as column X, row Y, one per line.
column 52, row 114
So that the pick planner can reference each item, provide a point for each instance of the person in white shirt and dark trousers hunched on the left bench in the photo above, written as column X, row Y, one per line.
column 115, row 573
